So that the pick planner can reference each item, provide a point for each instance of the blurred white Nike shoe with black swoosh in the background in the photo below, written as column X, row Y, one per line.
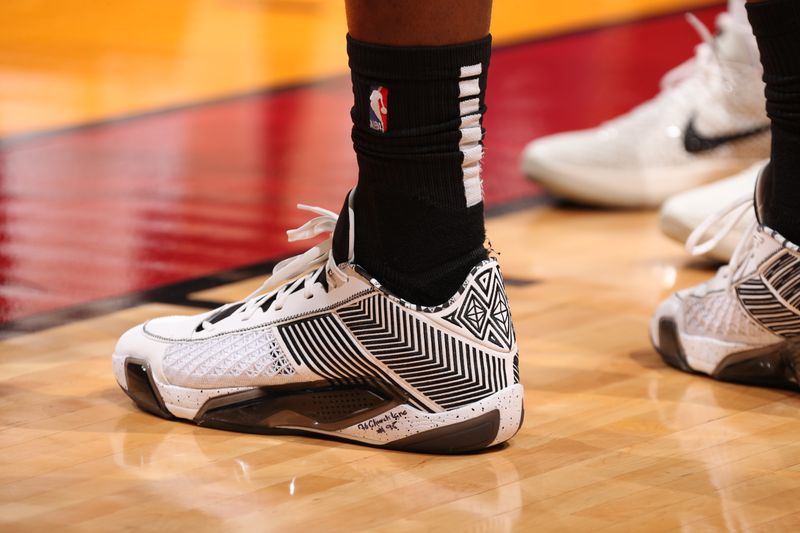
column 708, row 122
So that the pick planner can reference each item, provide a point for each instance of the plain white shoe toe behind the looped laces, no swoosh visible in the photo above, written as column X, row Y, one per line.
column 685, row 211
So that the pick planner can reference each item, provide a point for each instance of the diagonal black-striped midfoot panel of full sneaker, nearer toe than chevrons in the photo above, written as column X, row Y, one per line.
column 322, row 344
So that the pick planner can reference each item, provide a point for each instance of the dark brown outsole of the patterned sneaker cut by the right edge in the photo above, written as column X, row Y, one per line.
column 776, row 366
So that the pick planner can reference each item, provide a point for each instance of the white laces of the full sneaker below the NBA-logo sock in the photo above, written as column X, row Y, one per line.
column 280, row 285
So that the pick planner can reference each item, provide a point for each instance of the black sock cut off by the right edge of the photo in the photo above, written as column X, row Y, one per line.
column 776, row 25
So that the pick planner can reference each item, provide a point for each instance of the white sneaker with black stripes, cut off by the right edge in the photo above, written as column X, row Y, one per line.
column 743, row 324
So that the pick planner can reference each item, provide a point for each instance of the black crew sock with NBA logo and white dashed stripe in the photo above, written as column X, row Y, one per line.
column 418, row 136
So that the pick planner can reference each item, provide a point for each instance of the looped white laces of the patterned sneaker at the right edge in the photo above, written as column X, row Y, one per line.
column 730, row 215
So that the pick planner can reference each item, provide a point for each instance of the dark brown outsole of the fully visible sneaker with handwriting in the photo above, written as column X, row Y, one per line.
column 251, row 412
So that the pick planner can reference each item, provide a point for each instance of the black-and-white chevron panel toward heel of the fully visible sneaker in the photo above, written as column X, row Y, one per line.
column 448, row 371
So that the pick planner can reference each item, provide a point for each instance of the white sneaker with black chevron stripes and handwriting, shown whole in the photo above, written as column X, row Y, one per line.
column 322, row 349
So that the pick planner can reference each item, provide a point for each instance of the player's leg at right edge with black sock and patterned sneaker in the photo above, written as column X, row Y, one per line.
column 743, row 324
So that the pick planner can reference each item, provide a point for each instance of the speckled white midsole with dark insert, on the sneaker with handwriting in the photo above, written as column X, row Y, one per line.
column 369, row 412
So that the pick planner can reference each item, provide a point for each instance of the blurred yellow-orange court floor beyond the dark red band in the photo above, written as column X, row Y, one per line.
column 67, row 62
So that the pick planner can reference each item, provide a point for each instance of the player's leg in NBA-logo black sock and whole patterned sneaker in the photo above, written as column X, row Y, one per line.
column 396, row 331
